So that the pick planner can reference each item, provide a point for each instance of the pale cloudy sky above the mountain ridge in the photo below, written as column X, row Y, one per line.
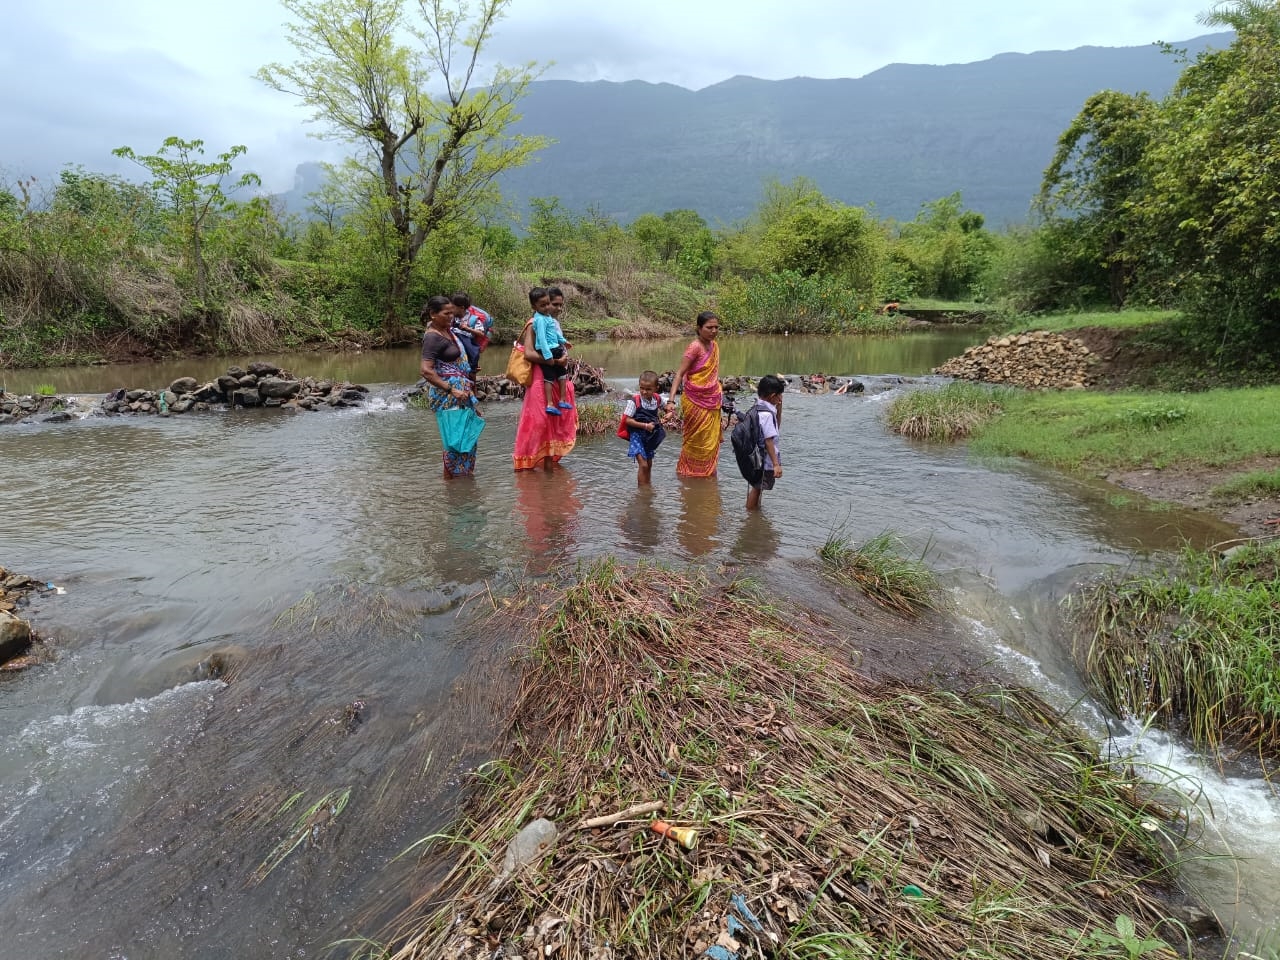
column 86, row 76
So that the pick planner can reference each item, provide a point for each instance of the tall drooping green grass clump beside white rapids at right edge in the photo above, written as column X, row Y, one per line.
column 1199, row 652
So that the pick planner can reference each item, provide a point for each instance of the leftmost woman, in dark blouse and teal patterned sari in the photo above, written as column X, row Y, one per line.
column 449, row 390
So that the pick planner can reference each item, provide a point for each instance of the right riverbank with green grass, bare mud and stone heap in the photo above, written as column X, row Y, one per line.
column 1167, row 424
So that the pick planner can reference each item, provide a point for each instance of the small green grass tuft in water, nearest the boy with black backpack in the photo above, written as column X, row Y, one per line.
column 880, row 570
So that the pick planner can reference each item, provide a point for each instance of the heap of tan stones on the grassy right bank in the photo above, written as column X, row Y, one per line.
column 1036, row 360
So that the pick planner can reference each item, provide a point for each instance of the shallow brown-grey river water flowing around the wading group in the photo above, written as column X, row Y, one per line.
column 152, row 810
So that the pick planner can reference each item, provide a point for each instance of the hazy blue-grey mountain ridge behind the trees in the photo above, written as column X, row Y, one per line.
column 895, row 139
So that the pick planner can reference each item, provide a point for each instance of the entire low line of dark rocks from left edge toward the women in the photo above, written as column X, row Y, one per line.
column 259, row 386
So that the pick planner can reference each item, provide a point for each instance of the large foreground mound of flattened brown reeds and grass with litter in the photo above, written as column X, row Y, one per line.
column 834, row 816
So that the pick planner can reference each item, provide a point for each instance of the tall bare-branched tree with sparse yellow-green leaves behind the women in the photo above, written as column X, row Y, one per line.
column 433, row 156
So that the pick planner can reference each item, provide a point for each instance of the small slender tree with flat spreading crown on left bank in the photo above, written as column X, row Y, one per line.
column 195, row 190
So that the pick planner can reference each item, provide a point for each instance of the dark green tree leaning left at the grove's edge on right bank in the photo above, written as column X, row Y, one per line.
column 1099, row 177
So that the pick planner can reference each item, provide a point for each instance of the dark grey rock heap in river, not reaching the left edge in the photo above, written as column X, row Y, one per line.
column 260, row 386
